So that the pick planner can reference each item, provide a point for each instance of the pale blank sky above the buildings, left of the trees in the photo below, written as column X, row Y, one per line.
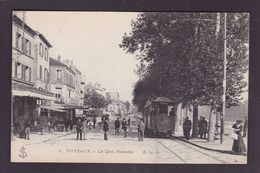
column 91, row 40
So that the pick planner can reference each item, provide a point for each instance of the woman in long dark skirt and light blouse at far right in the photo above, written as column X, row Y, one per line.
column 238, row 143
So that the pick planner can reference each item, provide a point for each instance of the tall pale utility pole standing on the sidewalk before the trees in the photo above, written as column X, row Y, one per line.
column 224, row 80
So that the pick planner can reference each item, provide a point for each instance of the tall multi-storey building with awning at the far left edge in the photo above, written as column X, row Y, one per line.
column 25, row 93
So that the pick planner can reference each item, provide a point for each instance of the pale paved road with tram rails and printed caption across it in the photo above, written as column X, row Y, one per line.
column 118, row 149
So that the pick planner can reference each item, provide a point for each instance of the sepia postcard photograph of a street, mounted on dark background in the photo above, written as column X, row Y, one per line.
column 130, row 87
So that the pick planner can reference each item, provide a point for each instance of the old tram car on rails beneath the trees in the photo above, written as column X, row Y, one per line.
column 158, row 122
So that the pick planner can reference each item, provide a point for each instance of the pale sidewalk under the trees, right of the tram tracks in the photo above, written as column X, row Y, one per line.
column 225, row 147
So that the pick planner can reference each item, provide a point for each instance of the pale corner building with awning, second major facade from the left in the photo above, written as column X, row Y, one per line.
column 63, row 85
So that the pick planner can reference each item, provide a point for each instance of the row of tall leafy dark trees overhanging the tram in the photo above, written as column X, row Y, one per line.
column 181, row 57
